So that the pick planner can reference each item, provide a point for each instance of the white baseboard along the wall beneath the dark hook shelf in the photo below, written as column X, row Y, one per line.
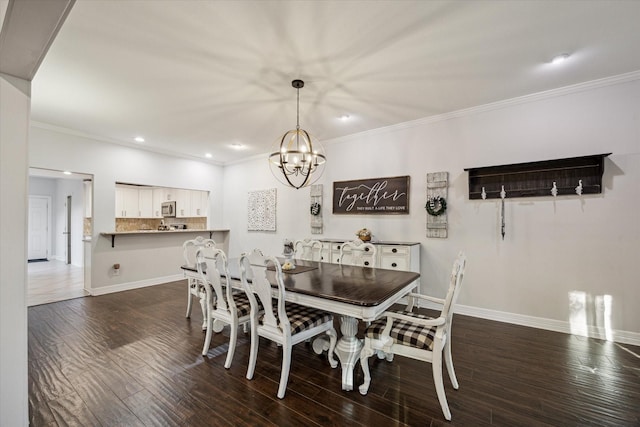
column 624, row 337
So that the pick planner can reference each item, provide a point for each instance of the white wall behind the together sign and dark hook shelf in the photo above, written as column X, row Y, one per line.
column 560, row 257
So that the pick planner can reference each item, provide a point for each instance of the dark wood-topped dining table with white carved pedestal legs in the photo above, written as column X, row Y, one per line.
column 355, row 293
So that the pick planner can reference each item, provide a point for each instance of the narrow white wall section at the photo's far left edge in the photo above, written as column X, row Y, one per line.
column 15, row 104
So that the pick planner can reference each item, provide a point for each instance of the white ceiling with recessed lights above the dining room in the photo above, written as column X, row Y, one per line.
column 196, row 77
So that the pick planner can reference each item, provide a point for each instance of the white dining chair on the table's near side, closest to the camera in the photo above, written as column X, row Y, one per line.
column 284, row 323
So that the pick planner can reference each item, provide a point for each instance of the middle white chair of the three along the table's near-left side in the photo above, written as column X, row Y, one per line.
column 223, row 304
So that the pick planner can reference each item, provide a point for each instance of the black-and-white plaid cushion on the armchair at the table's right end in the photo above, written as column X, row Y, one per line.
column 404, row 332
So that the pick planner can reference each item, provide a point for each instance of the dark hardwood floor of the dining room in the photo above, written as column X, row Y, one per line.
column 132, row 359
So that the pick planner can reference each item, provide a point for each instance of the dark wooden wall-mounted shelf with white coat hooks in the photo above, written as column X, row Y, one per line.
column 536, row 179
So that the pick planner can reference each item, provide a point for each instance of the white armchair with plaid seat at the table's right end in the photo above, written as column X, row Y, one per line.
column 409, row 334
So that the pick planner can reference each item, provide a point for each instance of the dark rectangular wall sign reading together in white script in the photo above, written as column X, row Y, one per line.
column 372, row 196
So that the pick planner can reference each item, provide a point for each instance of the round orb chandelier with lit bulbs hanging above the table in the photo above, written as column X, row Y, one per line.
column 298, row 156
